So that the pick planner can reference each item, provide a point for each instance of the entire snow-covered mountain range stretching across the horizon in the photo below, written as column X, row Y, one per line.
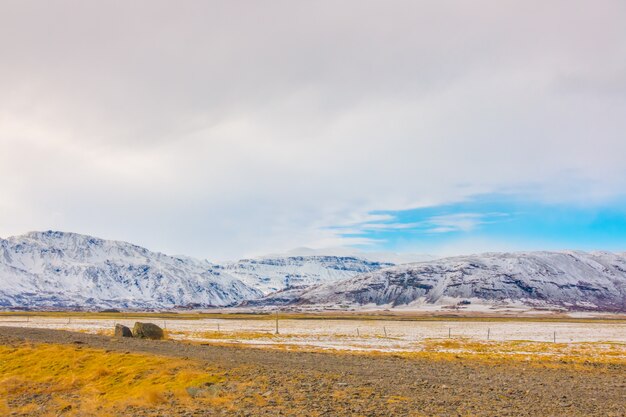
column 63, row 270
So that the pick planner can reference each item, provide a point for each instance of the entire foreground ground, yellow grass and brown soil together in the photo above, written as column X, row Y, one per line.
column 46, row 373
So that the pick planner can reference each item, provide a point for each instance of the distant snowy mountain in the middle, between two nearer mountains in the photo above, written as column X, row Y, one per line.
column 278, row 273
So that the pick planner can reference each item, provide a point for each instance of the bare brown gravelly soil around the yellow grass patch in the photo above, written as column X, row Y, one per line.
column 326, row 384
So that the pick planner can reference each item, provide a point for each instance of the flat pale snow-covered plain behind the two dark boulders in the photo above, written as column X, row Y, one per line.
column 348, row 334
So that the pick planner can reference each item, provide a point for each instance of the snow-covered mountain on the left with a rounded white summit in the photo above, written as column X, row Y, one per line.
column 67, row 270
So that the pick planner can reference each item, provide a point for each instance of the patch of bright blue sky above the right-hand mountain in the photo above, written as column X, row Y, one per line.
column 498, row 218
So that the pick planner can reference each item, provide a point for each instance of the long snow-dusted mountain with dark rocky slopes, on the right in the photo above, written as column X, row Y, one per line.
column 573, row 280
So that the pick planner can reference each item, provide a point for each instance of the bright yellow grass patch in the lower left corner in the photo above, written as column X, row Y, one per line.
column 94, row 382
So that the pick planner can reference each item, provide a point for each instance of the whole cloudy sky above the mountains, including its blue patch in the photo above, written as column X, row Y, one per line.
column 225, row 129
